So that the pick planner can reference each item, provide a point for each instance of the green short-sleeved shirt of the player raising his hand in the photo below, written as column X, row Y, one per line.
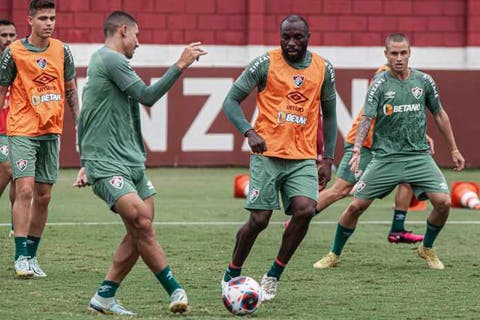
column 109, row 123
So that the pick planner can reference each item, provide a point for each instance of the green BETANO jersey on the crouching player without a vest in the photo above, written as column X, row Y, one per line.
column 399, row 109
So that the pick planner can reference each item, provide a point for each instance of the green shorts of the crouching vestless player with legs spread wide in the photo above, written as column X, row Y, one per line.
column 382, row 176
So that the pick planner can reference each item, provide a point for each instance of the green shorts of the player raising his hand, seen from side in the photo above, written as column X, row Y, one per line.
column 112, row 181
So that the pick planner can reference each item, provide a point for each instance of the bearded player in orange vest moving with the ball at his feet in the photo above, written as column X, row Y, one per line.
column 296, row 89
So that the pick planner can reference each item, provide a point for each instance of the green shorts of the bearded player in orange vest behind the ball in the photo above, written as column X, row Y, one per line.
column 269, row 176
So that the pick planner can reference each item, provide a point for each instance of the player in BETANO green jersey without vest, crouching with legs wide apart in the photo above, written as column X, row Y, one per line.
column 397, row 101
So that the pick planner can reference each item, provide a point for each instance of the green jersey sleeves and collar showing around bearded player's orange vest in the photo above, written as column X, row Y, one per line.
column 255, row 75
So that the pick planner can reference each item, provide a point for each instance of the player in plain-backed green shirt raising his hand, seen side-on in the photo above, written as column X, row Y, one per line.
column 113, row 156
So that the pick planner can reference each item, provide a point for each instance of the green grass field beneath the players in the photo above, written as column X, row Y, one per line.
column 197, row 219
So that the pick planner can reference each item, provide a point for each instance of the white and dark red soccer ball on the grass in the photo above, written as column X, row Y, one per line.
column 242, row 296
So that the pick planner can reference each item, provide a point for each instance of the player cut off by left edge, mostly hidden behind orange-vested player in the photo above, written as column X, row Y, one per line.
column 8, row 34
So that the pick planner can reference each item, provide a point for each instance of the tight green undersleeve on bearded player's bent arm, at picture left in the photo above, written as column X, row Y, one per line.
column 233, row 110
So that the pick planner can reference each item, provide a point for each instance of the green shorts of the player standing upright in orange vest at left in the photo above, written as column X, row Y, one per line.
column 32, row 157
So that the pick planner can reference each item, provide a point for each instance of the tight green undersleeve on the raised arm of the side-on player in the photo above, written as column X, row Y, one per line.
column 148, row 95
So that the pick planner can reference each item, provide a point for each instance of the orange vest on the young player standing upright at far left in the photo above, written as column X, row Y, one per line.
column 37, row 94
